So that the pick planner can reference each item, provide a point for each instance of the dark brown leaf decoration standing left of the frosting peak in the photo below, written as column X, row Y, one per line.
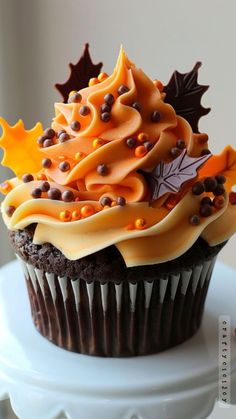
column 80, row 75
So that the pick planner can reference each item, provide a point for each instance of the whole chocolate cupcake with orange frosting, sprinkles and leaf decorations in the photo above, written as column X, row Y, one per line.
column 118, row 210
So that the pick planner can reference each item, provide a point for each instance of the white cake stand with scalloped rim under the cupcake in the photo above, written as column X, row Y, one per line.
column 46, row 382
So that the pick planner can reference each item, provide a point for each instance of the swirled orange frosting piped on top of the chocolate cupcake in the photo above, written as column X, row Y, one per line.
column 84, row 226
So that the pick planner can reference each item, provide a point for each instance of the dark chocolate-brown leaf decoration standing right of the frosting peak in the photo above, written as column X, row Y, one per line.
column 184, row 93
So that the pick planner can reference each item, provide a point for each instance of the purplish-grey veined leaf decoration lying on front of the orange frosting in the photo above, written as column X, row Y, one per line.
column 170, row 177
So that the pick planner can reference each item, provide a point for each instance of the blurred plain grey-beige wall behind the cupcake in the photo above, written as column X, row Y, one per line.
column 39, row 38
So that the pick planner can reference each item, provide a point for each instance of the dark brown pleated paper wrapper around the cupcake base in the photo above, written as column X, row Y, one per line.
column 125, row 319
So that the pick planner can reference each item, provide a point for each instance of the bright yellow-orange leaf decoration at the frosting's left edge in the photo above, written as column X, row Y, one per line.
column 21, row 151
